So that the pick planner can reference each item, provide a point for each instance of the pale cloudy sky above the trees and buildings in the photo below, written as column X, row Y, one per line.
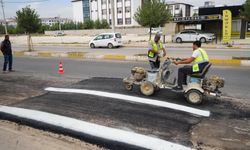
column 63, row 8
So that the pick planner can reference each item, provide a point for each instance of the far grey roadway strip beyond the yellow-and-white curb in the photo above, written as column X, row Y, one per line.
column 171, row 52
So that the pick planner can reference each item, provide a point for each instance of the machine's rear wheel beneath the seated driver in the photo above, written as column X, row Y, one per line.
column 194, row 97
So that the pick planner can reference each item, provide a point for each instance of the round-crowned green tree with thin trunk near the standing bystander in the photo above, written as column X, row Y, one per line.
column 29, row 22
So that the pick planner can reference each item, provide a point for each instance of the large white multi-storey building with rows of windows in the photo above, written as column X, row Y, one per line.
column 101, row 9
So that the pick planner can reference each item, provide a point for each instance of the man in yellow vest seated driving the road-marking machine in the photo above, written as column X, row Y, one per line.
column 199, row 60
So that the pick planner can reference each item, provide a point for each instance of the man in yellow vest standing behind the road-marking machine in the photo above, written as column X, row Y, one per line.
column 155, row 47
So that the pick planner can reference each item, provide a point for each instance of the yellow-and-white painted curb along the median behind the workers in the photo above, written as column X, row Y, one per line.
column 91, row 56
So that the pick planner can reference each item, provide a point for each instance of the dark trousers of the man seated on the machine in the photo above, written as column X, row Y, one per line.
column 182, row 74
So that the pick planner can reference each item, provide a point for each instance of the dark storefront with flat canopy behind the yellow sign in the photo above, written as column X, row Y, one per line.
column 210, row 19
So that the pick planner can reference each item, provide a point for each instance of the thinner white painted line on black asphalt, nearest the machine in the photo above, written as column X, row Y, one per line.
column 133, row 99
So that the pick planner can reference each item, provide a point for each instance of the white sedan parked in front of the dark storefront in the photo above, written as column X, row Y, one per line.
column 193, row 35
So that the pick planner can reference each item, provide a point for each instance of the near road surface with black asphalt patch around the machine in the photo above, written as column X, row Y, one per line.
column 226, row 128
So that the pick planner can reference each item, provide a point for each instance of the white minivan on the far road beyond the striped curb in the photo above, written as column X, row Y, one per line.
column 109, row 40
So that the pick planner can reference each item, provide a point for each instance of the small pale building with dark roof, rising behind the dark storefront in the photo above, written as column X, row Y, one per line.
column 180, row 9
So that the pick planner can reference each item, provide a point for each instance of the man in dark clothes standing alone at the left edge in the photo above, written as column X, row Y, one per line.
column 7, row 53
